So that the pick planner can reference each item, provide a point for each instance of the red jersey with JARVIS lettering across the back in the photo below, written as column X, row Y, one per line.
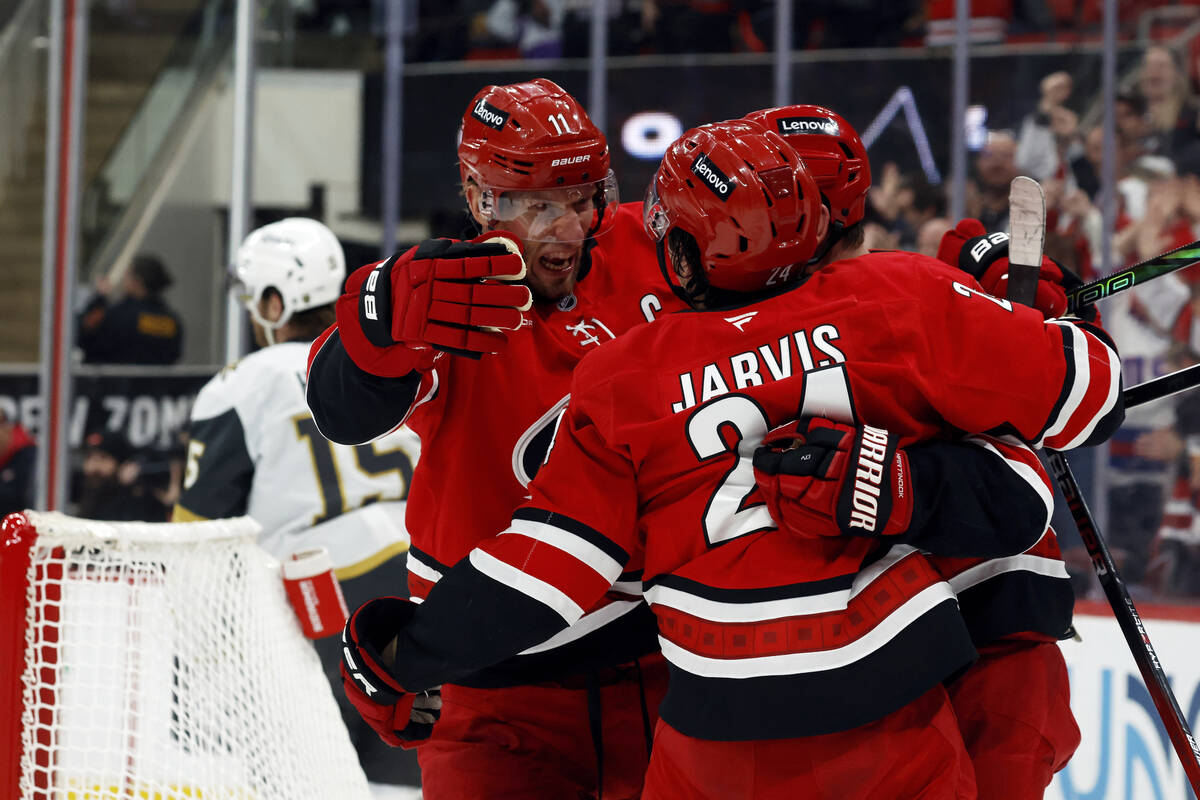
column 767, row 635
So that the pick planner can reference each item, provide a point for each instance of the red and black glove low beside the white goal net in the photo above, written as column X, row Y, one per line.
column 403, row 719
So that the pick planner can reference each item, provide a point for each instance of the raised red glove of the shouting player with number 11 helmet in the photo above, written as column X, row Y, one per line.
column 459, row 297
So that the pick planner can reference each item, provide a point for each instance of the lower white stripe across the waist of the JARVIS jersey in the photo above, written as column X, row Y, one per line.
column 794, row 664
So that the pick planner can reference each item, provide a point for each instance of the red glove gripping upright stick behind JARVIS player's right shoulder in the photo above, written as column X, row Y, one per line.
column 986, row 257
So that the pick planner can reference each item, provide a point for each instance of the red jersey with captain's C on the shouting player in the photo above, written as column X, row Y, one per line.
column 485, row 425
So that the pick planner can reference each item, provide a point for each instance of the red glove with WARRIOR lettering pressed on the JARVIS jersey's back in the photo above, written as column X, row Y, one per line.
column 823, row 478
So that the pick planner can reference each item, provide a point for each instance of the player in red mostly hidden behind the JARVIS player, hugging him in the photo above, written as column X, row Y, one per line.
column 1015, row 705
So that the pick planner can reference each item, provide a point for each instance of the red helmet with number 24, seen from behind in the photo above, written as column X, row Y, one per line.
column 745, row 196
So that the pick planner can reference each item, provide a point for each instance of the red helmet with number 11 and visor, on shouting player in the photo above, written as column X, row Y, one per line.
column 535, row 137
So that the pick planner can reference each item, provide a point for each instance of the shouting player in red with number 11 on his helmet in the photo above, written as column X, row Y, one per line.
column 573, row 713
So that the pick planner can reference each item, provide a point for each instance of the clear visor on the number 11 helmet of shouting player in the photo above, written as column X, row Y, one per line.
column 568, row 214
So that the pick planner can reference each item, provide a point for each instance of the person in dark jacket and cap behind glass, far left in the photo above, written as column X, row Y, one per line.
column 137, row 329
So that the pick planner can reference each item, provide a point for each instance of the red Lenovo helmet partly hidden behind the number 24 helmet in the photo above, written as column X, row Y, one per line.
column 831, row 151
